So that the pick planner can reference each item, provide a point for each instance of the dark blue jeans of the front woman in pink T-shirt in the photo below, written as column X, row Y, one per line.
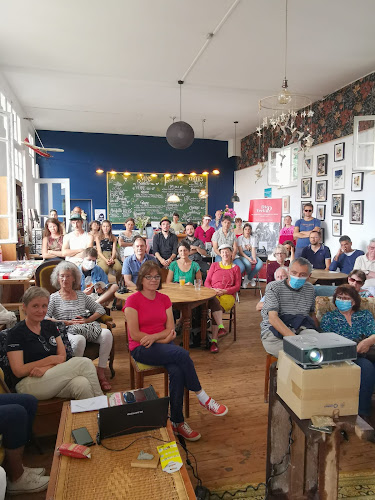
column 180, row 368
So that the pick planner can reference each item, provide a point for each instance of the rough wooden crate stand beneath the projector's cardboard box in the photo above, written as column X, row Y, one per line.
column 311, row 470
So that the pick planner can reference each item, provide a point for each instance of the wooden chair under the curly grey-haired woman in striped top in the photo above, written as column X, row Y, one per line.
column 43, row 279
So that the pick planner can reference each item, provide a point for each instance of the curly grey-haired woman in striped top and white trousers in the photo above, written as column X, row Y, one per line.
column 79, row 312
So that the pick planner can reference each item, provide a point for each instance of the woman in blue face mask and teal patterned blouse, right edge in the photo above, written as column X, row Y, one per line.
column 358, row 325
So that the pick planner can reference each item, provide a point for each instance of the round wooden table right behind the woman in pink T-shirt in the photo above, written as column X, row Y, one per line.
column 185, row 298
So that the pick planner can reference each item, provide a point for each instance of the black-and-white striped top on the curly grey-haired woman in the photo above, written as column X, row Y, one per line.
column 69, row 309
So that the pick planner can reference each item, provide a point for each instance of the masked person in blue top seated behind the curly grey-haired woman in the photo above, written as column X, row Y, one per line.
column 91, row 274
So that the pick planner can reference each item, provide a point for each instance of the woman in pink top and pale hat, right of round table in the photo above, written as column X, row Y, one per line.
column 225, row 278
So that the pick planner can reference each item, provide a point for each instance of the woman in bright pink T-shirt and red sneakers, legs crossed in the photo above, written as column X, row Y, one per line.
column 151, row 333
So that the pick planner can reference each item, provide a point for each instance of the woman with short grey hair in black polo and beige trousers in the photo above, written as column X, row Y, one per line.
column 37, row 356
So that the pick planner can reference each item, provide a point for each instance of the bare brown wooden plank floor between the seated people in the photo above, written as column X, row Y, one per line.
column 232, row 450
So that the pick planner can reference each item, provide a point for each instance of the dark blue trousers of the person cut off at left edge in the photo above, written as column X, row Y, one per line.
column 17, row 412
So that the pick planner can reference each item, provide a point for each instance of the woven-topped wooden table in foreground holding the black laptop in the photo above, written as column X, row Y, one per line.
column 108, row 474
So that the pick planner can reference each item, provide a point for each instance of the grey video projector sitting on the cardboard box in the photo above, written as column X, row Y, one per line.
column 309, row 349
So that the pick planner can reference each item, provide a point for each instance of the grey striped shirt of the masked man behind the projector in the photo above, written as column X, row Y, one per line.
column 282, row 298
